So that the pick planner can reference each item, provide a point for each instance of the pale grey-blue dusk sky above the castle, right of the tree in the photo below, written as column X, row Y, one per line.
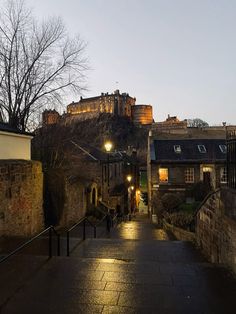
column 177, row 55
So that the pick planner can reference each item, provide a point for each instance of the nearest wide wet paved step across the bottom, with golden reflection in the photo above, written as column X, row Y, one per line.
column 105, row 285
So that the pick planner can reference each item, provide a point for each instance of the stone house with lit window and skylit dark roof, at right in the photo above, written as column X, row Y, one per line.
column 175, row 164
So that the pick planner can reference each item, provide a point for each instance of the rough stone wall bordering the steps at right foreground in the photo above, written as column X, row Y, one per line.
column 216, row 231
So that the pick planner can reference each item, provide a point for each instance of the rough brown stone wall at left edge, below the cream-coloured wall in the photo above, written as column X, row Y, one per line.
column 21, row 198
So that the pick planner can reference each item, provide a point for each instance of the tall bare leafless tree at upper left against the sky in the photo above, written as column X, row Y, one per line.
column 39, row 62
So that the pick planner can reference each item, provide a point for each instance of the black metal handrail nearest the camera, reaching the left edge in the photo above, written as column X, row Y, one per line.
column 49, row 229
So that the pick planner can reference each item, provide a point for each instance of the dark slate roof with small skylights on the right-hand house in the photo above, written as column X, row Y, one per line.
column 163, row 150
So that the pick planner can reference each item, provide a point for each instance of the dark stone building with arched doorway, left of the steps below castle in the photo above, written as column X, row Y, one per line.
column 75, row 190
